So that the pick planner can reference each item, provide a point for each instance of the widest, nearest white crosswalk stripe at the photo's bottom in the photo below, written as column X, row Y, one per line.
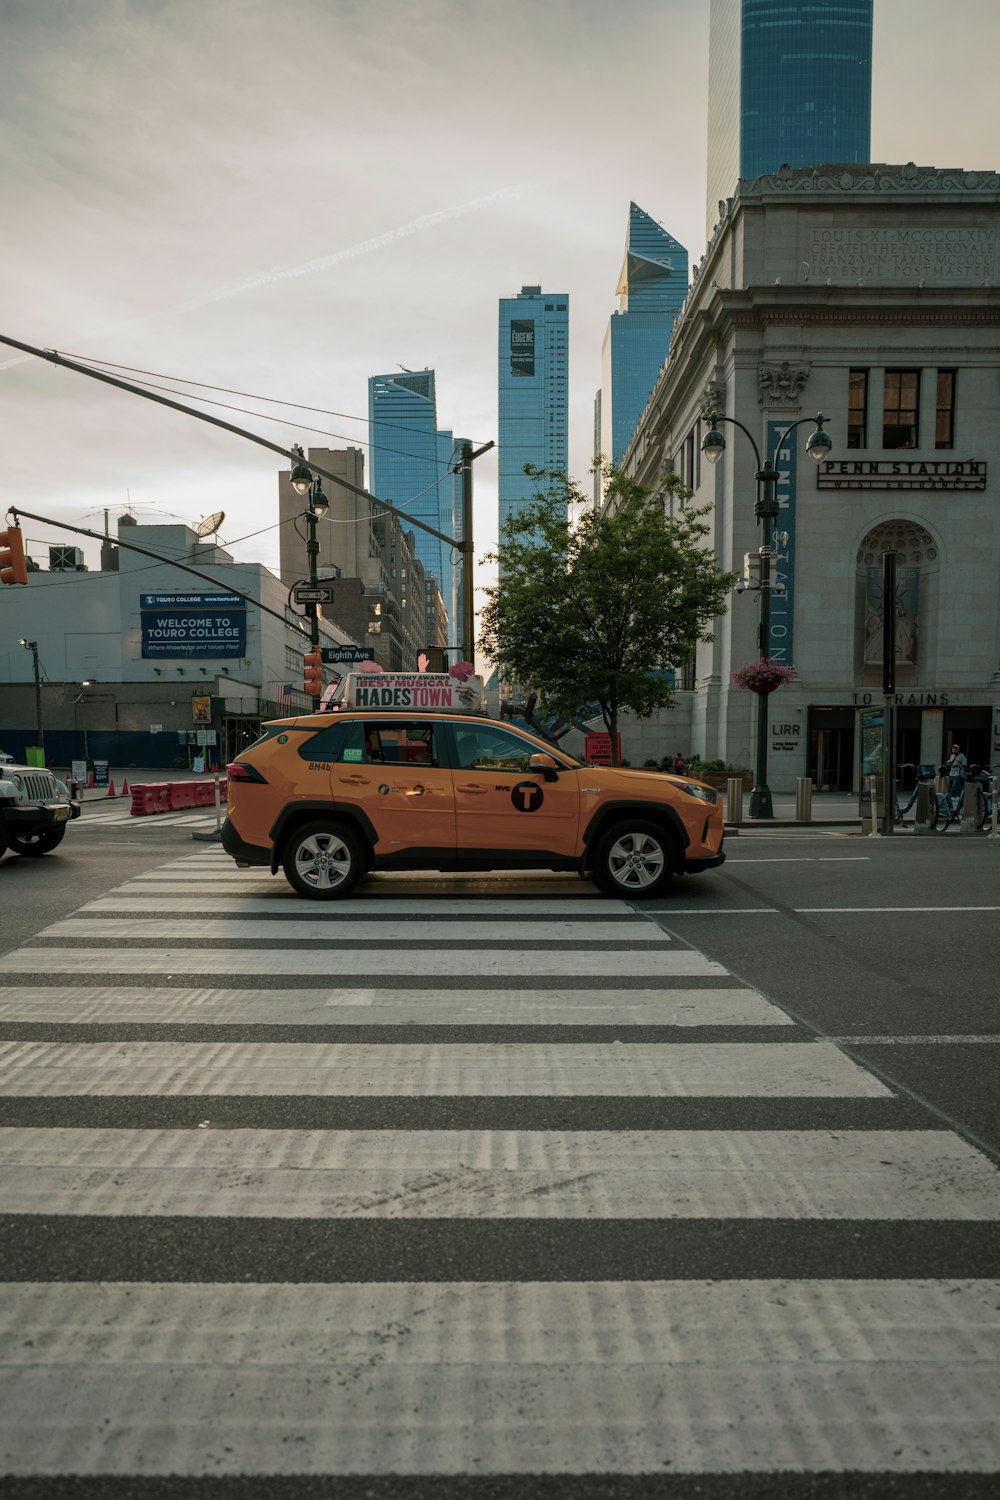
column 494, row 1379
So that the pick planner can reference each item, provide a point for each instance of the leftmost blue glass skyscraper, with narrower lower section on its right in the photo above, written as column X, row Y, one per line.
column 410, row 467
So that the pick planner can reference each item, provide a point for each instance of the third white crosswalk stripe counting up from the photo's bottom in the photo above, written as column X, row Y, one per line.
column 400, row 1070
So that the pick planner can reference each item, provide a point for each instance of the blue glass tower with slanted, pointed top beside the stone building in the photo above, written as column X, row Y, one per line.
column 651, row 287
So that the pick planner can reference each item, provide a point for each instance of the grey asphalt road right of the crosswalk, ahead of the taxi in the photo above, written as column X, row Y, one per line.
column 890, row 946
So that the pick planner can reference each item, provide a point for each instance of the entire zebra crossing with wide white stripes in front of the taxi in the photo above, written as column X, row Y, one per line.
column 466, row 1196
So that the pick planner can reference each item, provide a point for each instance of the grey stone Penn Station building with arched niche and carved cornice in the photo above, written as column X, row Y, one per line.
column 870, row 295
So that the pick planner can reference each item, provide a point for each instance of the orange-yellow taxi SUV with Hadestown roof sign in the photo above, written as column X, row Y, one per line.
column 410, row 775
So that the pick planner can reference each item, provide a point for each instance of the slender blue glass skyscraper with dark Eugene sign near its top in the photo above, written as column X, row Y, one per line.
column 533, row 392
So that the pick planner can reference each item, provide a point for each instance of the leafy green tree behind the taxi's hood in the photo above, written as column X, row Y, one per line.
column 585, row 613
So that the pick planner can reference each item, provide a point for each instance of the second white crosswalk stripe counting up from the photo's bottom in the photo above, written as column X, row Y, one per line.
column 484, row 1175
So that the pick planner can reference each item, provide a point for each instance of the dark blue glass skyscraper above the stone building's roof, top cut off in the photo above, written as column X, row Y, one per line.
column 788, row 83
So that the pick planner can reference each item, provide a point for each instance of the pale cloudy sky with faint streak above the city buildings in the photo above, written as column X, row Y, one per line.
column 286, row 197
